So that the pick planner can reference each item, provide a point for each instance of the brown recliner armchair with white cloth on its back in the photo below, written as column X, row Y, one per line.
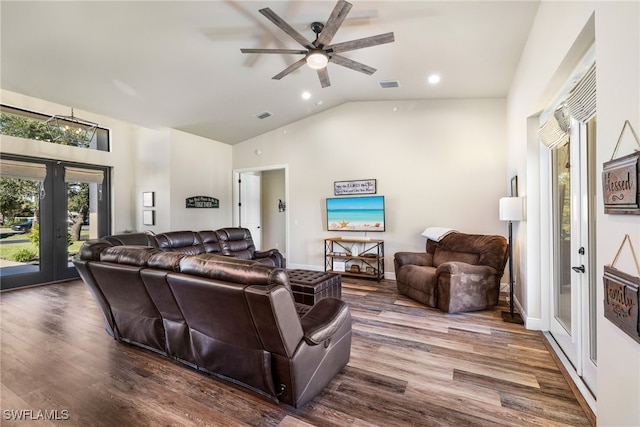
column 459, row 273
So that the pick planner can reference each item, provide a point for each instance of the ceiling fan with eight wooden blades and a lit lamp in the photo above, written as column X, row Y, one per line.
column 319, row 52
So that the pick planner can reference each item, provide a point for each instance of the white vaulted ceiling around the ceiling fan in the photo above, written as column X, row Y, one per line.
column 178, row 64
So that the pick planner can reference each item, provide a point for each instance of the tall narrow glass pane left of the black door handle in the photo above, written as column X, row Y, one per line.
column 562, row 235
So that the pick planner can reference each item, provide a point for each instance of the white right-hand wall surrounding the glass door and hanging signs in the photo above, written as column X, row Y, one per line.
column 558, row 36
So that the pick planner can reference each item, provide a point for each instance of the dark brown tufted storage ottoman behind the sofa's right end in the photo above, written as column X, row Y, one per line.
column 309, row 287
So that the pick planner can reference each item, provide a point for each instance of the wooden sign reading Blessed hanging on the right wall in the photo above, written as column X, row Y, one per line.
column 620, row 185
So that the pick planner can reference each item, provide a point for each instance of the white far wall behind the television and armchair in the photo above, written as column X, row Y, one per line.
column 438, row 163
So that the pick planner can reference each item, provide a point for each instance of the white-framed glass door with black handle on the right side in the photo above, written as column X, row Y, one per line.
column 573, row 298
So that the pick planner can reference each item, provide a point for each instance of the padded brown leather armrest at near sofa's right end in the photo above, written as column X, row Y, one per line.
column 323, row 320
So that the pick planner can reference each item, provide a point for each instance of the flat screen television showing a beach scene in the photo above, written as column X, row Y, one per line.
column 362, row 213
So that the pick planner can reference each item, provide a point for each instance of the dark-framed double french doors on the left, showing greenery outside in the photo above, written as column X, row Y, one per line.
column 49, row 208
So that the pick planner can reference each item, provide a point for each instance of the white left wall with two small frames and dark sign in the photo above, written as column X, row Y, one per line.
column 173, row 164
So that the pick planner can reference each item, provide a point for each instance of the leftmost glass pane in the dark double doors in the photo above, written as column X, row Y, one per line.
column 20, row 225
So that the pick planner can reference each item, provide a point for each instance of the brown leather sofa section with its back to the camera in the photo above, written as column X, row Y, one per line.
column 233, row 318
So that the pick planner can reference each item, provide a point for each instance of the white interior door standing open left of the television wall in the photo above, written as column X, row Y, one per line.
column 250, row 206
